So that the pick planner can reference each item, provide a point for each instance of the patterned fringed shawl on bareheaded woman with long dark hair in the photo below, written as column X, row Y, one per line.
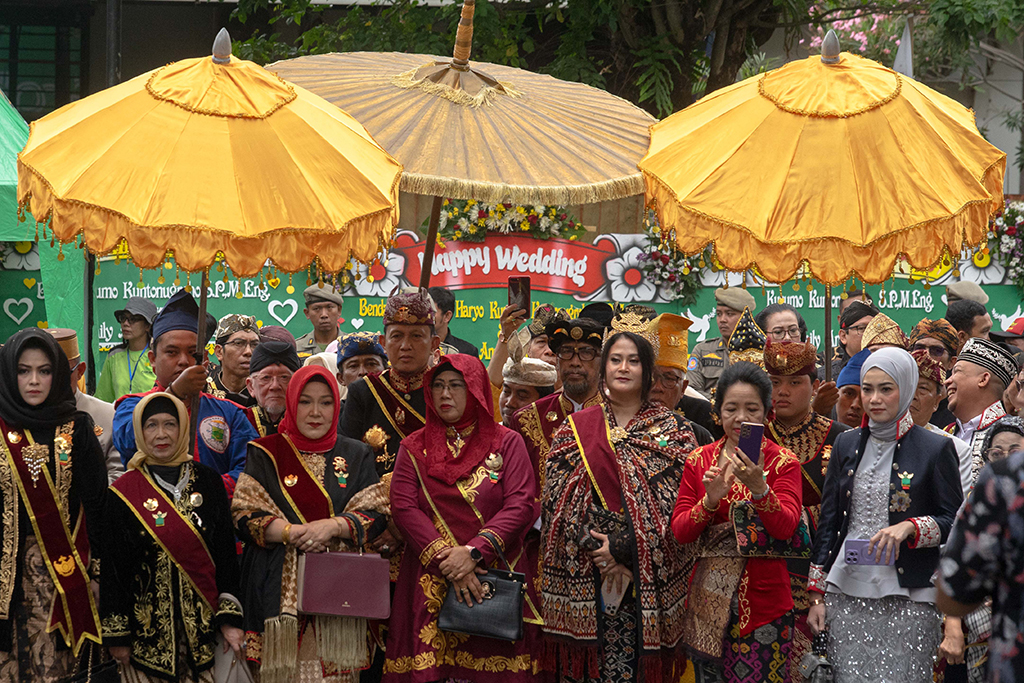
column 650, row 462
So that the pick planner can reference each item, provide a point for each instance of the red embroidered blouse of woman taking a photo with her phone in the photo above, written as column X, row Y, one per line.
column 765, row 593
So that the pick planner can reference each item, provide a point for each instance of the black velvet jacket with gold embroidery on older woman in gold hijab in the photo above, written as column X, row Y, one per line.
column 149, row 603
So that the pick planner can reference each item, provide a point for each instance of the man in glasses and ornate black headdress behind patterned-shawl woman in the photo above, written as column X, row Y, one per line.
column 577, row 346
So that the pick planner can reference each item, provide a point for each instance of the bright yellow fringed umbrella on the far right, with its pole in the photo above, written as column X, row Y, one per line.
column 835, row 164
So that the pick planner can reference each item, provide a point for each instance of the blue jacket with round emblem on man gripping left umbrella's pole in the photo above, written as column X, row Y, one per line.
column 221, row 441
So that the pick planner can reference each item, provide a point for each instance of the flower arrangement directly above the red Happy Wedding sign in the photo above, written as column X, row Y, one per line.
column 470, row 221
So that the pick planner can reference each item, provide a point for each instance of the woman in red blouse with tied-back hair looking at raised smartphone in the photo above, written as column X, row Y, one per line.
column 739, row 626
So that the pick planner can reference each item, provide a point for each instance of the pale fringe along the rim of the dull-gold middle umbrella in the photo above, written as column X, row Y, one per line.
column 607, row 191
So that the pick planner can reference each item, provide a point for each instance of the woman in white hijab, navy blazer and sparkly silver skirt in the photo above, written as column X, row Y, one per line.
column 890, row 498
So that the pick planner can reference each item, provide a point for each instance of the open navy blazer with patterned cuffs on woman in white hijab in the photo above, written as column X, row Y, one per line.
column 935, row 496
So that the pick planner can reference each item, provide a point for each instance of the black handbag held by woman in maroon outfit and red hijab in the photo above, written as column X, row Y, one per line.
column 500, row 616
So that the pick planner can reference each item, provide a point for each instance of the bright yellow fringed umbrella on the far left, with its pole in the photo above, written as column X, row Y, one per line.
column 212, row 158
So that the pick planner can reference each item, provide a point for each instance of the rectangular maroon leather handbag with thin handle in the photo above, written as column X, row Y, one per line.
column 346, row 584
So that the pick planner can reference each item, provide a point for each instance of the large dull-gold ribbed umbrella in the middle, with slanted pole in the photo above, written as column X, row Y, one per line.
column 470, row 131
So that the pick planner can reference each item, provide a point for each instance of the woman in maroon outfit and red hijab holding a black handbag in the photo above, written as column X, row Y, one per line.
column 460, row 477
